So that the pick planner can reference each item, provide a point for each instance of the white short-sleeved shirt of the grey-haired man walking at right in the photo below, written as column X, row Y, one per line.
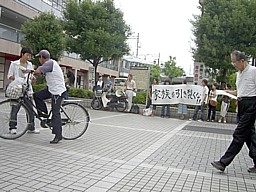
column 246, row 82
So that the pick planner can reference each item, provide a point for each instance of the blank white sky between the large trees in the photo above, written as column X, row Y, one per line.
column 164, row 29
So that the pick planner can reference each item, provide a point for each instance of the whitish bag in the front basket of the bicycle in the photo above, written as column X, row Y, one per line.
column 15, row 89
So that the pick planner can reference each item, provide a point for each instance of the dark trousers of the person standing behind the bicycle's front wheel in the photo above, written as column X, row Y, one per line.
column 14, row 111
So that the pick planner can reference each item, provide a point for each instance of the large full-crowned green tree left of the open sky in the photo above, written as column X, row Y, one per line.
column 96, row 31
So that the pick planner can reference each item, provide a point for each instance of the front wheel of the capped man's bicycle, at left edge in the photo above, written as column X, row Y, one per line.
column 8, row 108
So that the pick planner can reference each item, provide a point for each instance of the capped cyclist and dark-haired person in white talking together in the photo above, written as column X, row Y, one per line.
column 55, row 90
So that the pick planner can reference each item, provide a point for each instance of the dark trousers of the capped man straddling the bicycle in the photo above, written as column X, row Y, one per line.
column 39, row 98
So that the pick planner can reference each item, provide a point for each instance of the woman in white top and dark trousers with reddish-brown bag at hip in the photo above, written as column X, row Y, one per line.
column 212, row 103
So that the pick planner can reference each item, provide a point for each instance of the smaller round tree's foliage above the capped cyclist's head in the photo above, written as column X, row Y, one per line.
column 44, row 32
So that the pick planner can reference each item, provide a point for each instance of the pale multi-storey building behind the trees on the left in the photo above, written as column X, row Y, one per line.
column 13, row 13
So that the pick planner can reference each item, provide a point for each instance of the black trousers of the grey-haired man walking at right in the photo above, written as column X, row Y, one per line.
column 244, row 132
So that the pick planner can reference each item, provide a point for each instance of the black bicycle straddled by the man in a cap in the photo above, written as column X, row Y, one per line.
column 74, row 117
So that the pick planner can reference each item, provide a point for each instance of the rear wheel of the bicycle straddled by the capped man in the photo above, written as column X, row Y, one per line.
column 75, row 120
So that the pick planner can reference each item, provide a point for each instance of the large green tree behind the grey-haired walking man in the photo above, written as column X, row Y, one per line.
column 224, row 26
